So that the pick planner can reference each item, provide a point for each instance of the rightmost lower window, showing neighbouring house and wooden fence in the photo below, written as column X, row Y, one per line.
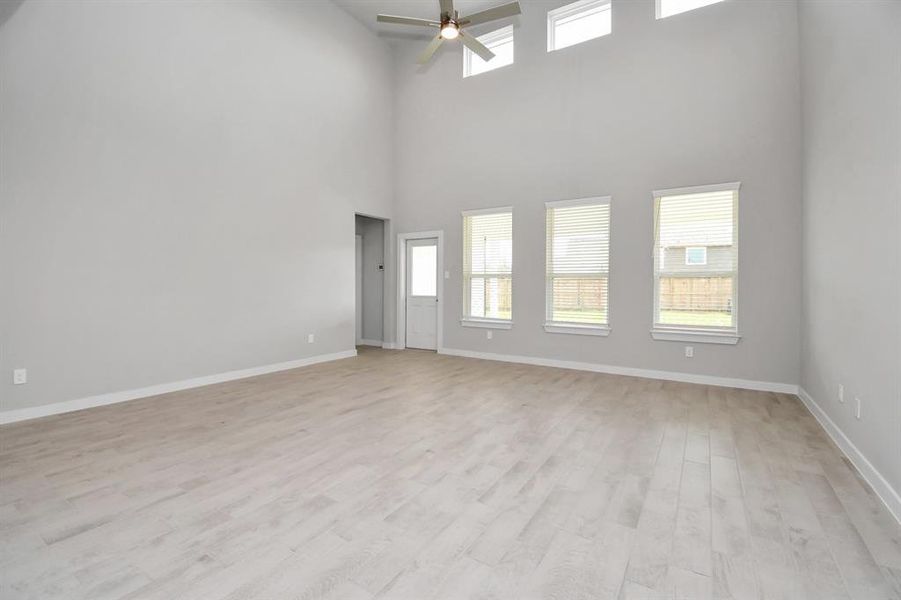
column 696, row 263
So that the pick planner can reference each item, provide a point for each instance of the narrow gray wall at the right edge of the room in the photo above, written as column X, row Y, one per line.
column 851, row 54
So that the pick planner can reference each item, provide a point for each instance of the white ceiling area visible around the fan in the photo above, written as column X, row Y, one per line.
column 366, row 10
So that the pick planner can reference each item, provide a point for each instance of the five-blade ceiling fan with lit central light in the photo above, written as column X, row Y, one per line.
column 450, row 26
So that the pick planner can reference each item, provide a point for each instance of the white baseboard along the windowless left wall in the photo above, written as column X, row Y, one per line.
column 23, row 414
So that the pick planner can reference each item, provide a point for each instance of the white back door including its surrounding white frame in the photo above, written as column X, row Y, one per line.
column 420, row 290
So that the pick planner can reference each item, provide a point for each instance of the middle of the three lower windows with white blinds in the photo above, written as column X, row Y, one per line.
column 578, row 264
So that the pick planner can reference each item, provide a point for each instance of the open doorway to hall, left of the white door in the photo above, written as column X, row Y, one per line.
column 370, row 280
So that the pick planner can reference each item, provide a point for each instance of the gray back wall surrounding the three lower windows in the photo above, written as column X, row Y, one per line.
column 708, row 96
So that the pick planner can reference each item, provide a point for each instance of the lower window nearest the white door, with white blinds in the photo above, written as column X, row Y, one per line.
column 488, row 268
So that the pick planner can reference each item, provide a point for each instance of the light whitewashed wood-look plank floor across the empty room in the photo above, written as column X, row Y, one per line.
column 411, row 475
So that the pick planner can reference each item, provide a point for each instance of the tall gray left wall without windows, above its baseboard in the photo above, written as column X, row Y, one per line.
column 179, row 180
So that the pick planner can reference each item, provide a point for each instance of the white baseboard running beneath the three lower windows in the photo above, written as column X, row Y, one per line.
column 748, row 384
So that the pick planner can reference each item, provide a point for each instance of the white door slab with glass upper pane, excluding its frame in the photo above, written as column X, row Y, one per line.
column 422, row 294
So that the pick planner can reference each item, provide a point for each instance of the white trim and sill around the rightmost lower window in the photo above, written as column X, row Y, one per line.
column 701, row 335
